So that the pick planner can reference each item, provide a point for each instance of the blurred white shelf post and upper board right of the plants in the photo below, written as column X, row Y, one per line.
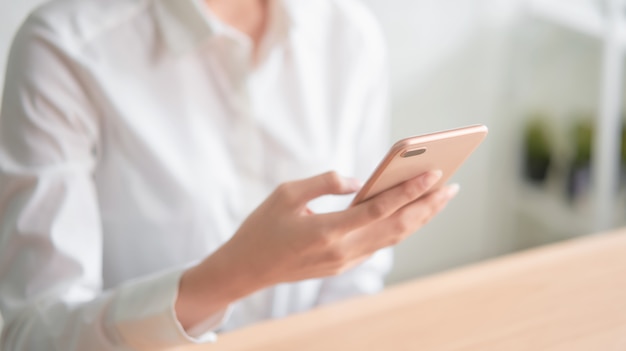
column 604, row 20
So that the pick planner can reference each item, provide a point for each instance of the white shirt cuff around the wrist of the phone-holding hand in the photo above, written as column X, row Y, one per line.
column 145, row 319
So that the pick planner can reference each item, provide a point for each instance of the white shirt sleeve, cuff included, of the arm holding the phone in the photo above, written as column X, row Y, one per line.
column 51, row 250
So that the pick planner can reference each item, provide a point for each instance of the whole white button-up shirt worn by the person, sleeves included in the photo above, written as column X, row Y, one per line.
column 135, row 137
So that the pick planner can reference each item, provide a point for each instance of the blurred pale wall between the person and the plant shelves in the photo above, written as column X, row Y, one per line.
column 450, row 63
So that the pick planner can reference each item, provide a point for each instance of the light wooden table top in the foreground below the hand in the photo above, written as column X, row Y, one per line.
column 570, row 296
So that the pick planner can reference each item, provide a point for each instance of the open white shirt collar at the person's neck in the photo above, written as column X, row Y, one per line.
column 185, row 24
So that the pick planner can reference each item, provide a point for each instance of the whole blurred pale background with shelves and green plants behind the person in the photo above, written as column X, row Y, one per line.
column 544, row 75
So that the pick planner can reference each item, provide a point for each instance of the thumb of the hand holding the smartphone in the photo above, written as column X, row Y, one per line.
column 300, row 192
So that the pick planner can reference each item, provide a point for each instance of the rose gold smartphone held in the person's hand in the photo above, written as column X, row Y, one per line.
column 410, row 157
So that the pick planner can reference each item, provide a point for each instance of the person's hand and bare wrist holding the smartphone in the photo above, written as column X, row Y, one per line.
column 283, row 241
